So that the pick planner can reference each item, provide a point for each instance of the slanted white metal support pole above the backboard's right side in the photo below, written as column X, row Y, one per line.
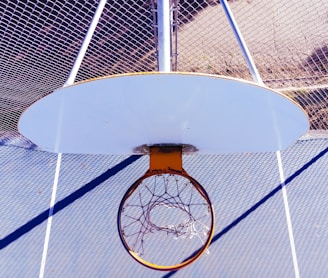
column 242, row 44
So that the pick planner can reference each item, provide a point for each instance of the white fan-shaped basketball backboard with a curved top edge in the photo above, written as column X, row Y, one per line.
column 115, row 115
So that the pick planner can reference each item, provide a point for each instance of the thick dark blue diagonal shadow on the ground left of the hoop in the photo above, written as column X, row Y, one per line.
column 60, row 205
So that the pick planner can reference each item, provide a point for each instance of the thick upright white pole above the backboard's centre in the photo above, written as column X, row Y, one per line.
column 164, row 35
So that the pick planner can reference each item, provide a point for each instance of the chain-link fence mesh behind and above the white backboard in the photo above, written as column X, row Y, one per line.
column 39, row 41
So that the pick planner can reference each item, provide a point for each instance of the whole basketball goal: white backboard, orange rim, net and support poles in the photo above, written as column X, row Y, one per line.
column 165, row 219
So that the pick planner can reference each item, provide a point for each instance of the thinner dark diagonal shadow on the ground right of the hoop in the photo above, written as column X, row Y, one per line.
column 259, row 203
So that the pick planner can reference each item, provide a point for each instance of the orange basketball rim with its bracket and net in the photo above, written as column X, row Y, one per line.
column 166, row 215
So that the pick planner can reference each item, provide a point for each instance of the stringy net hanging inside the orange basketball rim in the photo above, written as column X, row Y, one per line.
column 166, row 191
